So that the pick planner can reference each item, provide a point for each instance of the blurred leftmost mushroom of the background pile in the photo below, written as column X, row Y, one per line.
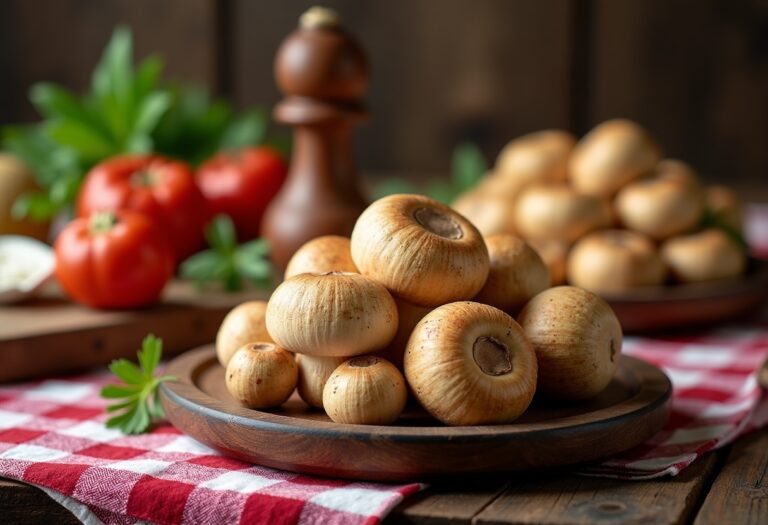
column 491, row 213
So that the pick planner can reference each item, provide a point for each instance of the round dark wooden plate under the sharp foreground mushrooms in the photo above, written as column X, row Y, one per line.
column 296, row 438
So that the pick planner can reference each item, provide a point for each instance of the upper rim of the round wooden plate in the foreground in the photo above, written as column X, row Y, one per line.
column 654, row 396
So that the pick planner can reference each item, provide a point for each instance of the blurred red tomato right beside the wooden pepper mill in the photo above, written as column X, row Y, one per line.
column 241, row 184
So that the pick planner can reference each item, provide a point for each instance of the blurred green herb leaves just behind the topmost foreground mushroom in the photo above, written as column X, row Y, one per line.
column 467, row 168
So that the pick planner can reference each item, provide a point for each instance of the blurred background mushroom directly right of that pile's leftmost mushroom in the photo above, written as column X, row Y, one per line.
column 558, row 212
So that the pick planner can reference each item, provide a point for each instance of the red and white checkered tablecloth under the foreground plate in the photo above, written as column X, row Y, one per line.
column 52, row 435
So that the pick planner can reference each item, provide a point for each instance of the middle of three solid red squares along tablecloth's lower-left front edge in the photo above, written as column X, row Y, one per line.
column 159, row 500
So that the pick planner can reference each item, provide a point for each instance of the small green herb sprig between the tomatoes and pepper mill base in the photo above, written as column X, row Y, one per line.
column 227, row 262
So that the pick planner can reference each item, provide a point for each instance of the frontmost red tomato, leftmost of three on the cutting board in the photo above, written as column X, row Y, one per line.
column 113, row 260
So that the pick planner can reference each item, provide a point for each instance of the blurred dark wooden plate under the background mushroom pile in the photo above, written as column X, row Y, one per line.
column 686, row 306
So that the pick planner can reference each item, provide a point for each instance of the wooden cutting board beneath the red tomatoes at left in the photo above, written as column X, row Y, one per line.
column 51, row 335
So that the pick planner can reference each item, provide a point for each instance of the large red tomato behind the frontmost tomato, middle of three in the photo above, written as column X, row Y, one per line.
column 163, row 189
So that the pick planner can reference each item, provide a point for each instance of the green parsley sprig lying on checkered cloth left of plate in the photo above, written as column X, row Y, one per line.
column 137, row 398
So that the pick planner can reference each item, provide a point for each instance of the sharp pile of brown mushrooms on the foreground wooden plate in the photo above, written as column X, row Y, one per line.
column 417, row 302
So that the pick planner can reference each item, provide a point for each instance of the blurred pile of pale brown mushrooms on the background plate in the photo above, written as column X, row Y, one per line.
column 607, row 213
